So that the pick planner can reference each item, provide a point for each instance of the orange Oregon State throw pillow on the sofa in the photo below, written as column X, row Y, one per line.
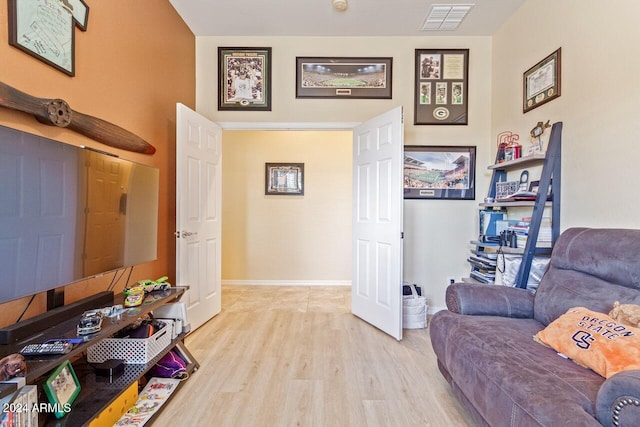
column 593, row 340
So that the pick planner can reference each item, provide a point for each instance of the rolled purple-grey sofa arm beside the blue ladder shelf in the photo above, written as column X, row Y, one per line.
column 489, row 300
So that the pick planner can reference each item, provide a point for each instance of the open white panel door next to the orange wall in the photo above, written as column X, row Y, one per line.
column 198, row 210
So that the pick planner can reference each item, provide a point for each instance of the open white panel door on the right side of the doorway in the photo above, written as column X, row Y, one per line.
column 377, row 222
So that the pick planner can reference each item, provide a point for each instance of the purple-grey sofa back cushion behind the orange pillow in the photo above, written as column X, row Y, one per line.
column 589, row 268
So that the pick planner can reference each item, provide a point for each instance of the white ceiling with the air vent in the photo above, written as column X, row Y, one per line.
column 318, row 18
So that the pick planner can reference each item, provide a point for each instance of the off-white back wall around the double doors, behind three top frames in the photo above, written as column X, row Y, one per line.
column 437, row 232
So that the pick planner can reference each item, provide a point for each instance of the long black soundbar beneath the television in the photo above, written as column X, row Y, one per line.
column 29, row 327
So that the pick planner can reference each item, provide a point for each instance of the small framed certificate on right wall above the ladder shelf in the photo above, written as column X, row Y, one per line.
column 541, row 83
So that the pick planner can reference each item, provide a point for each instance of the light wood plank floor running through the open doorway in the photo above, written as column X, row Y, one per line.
column 296, row 356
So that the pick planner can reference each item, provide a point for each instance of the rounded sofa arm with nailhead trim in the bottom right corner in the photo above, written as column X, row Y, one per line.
column 618, row 401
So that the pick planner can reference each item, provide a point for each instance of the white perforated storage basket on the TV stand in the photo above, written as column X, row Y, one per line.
column 131, row 350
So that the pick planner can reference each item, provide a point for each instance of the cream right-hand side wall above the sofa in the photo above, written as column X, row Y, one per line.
column 598, row 104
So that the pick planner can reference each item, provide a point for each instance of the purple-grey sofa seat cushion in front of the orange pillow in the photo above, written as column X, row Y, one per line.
column 505, row 375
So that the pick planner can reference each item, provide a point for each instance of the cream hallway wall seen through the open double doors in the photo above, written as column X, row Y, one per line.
column 287, row 239
